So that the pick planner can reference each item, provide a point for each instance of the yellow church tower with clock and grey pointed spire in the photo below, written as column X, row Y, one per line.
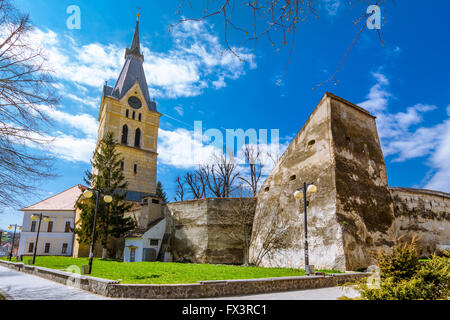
column 128, row 111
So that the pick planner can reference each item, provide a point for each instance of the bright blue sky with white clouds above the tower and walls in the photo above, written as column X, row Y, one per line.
column 405, row 83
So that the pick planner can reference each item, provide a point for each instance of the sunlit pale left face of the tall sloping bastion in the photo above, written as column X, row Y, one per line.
column 307, row 159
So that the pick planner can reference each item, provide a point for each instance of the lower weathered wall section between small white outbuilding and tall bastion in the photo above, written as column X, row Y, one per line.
column 202, row 231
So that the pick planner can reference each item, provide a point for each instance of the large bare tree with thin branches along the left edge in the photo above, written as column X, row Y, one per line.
column 26, row 88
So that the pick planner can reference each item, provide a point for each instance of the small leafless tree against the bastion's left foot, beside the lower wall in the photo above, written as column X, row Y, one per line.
column 270, row 236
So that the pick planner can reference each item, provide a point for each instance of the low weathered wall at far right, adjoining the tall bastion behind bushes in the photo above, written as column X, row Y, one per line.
column 425, row 214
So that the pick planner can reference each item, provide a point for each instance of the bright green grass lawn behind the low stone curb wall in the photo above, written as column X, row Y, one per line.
column 166, row 272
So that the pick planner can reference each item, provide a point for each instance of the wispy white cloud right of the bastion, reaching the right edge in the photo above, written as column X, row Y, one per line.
column 403, row 138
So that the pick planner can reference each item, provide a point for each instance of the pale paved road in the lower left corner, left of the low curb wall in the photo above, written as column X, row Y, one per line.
column 23, row 286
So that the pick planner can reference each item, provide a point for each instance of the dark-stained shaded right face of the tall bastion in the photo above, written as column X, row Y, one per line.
column 364, row 205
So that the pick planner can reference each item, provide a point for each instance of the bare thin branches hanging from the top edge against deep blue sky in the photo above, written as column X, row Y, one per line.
column 274, row 20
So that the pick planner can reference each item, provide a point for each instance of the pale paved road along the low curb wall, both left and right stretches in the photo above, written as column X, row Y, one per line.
column 23, row 286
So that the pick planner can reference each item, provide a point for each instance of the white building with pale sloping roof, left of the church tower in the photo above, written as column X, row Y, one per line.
column 56, row 226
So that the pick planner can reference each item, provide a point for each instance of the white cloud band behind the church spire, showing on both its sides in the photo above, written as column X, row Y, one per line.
column 184, row 71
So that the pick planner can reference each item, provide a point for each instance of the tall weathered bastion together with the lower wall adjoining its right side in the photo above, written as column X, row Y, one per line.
column 354, row 212
